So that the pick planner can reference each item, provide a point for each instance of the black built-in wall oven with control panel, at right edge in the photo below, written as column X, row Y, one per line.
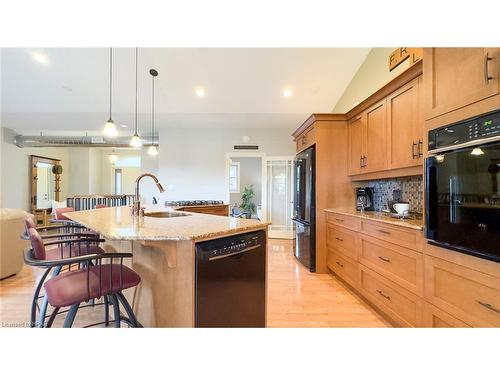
column 463, row 187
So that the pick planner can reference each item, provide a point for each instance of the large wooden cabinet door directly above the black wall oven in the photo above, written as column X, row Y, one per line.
column 456, row 77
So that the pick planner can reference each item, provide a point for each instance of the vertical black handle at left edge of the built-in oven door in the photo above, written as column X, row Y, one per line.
column 431, row 197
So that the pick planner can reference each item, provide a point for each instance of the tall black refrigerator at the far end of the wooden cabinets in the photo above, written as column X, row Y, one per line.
column 304, row 208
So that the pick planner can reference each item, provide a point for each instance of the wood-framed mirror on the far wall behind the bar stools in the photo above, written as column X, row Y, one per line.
column 45, row 182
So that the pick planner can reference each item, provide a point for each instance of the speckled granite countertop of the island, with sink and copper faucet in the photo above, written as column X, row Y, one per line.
column 116, row 223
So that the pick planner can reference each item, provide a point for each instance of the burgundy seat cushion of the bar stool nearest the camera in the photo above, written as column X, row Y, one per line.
column 70, row 288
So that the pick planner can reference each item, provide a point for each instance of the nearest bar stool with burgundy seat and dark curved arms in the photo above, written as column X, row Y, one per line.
column 90, row 280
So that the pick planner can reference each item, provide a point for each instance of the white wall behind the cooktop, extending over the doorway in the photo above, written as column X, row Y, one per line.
column 192, row 163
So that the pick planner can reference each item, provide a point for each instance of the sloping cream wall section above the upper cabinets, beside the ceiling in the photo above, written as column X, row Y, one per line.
column 371, row 76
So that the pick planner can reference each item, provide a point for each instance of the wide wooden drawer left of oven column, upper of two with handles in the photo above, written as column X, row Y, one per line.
column 399, row 264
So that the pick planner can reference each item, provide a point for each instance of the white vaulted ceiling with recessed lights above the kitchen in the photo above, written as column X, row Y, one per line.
column 68, row 88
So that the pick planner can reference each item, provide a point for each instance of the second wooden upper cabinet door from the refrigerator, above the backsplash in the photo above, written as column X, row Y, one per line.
column 376, row 138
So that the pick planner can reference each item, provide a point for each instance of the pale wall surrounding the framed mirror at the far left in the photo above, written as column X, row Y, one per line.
column 15, row 171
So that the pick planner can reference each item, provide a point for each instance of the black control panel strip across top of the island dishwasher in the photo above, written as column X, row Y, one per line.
column 227, row 246
